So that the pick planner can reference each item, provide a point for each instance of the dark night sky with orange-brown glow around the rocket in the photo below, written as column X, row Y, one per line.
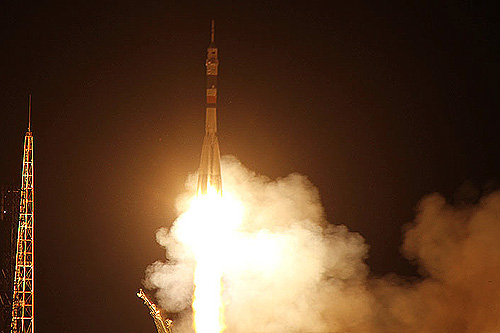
column 378, row 105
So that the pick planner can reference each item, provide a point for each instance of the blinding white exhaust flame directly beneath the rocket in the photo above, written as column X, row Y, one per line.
column 206, row 228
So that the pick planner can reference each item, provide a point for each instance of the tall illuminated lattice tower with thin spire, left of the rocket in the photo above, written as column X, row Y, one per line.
column 23, row 300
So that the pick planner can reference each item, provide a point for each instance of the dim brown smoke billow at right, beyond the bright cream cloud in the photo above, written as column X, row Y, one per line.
column 458, row 252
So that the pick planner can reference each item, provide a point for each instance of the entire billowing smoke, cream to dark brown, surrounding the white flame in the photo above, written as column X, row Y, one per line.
column 297, row 273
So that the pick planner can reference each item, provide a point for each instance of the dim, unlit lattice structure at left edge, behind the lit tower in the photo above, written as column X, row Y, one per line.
column 9, row 214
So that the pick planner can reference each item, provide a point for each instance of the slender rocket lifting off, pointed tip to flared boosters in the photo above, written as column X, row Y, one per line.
column 209, row 175
